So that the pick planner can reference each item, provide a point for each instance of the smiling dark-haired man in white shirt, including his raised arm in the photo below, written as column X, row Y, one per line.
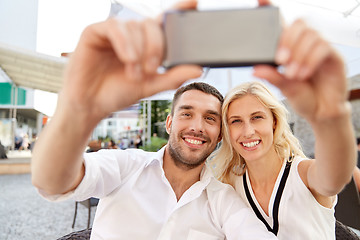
column 170, row 194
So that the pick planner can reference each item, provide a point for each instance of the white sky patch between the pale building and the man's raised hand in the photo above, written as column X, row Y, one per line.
column 60, row 23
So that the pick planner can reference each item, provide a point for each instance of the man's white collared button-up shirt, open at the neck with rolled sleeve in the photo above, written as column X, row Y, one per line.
column 137, row 201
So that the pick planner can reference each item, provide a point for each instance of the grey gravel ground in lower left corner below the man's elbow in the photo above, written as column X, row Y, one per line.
column 24, row 215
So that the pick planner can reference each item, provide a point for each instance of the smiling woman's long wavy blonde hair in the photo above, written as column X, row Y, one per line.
column 225, row 161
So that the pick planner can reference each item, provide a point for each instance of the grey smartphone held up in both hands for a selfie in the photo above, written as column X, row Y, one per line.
column 222, row 38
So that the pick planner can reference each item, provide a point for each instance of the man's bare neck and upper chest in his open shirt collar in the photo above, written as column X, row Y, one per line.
column 180, row 179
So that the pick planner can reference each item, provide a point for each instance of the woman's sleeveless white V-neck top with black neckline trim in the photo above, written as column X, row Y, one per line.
column 300, row 215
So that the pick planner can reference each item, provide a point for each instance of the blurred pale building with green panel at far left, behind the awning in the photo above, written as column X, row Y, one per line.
column 18, row 27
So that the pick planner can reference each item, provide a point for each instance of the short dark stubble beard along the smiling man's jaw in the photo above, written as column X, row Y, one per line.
column 181, row 161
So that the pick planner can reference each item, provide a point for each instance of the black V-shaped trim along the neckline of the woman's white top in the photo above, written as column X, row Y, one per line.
column 280, row 190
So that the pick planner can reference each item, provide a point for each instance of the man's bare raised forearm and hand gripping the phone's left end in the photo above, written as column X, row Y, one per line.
column 114, row 65
